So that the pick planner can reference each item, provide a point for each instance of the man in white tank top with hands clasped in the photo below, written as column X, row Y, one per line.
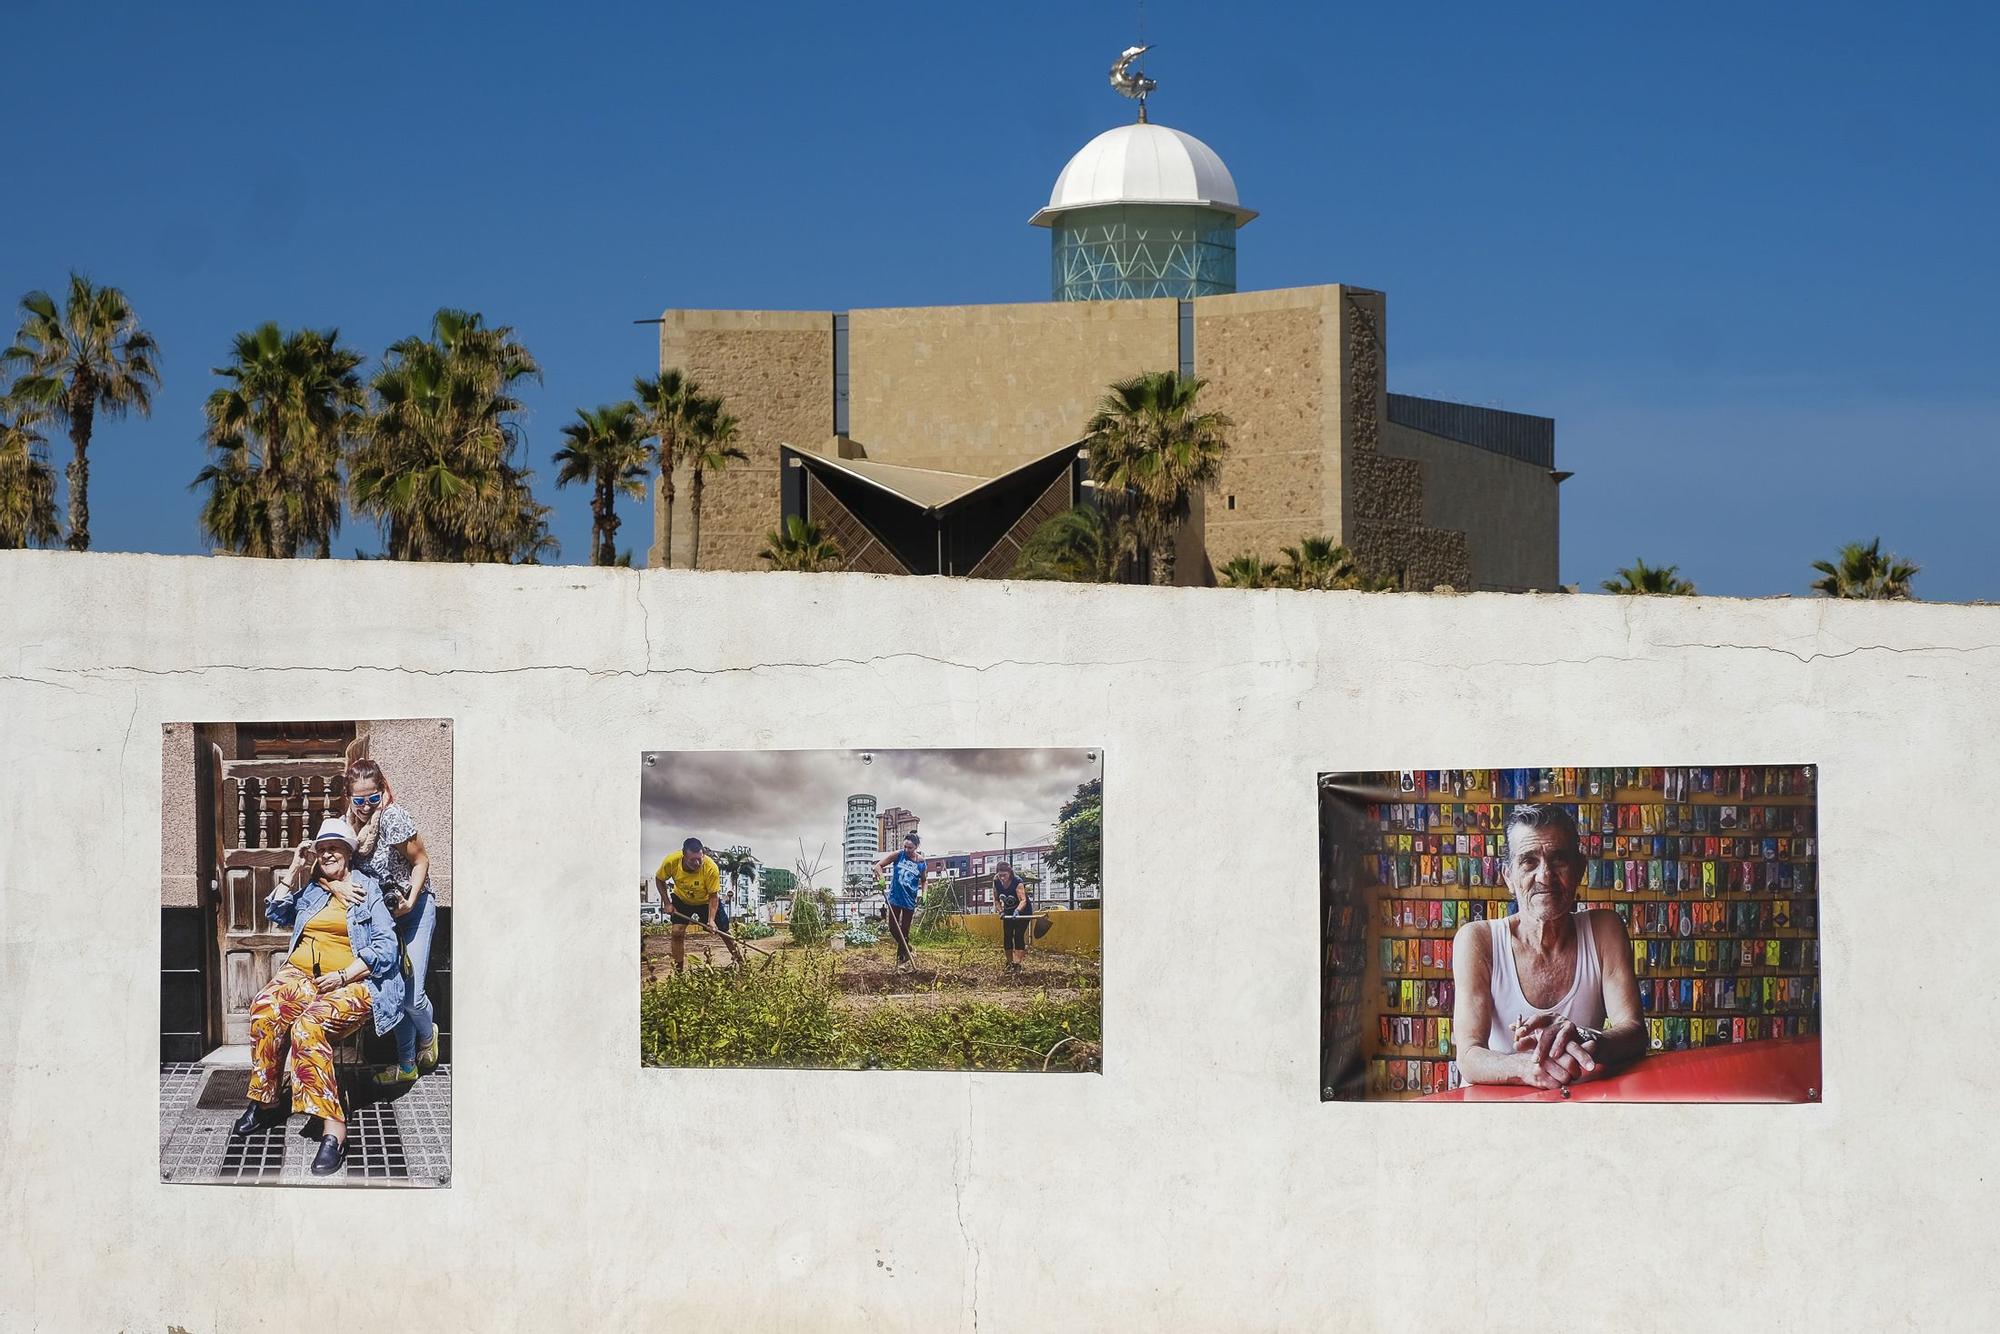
column 1545, row 997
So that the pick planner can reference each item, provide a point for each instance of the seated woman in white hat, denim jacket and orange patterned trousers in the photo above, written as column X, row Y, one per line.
column 343, row 971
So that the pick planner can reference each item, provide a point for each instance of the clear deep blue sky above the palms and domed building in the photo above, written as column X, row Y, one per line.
column 1743, row 255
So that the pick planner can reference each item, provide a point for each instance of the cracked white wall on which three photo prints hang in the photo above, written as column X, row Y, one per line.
column 1201, row 1183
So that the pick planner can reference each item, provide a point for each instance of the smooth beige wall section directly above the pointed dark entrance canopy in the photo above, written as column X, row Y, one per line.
column 985, row 389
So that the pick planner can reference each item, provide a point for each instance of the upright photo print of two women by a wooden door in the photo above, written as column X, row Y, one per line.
column 305, row 953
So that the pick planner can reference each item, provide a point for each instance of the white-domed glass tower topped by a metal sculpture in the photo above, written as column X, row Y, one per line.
column 1143, row 211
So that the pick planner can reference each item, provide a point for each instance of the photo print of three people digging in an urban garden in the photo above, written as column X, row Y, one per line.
column 873, row 909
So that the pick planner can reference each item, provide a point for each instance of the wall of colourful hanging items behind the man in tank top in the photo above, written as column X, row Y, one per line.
column 1711, row 869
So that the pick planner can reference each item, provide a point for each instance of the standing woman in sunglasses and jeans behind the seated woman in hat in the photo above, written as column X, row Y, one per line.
column 391, row 851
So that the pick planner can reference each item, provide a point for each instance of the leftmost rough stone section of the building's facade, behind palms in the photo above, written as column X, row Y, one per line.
column 775, row 369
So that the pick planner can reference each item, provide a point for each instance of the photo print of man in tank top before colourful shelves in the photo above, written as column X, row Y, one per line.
column 1643, row 935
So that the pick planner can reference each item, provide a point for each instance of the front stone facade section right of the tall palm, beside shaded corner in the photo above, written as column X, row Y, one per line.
column 1273, row 365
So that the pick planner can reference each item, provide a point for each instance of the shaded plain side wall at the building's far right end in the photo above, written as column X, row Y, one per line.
column 1507, row 509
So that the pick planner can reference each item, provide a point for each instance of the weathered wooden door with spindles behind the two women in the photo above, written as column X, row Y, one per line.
column 263, row 811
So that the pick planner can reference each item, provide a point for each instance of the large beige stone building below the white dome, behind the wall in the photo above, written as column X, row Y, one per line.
column 1421, row 491
